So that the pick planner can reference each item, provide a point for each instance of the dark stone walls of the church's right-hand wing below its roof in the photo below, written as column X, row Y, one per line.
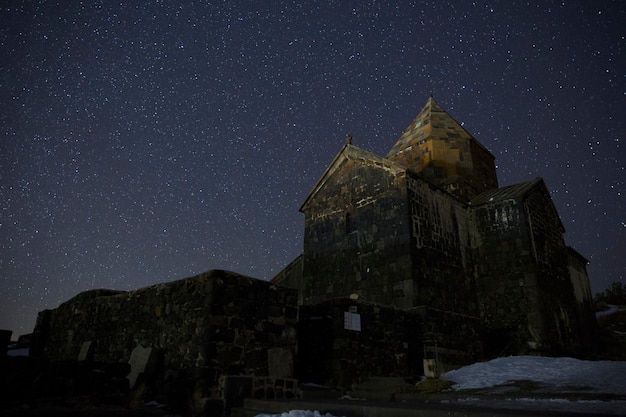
column 527, row 301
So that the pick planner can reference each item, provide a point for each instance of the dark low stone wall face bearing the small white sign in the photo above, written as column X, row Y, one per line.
column 386, row 344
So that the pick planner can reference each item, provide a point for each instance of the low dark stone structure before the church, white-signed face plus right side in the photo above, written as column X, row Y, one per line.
column 388, row 343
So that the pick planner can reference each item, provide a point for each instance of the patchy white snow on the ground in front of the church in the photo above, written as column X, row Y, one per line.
column 586, row 387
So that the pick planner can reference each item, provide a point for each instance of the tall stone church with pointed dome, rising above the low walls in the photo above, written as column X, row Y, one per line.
column 427, row 226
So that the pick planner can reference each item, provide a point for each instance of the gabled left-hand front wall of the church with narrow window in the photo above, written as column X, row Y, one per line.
column 356, row 237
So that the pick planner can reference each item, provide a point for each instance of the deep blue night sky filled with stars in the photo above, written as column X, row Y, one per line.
column 147, row 141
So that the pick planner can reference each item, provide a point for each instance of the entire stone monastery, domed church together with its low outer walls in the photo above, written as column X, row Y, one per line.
column 411, row 262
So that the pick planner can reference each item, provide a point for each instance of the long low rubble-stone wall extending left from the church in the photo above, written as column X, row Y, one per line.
column 211, row 325
